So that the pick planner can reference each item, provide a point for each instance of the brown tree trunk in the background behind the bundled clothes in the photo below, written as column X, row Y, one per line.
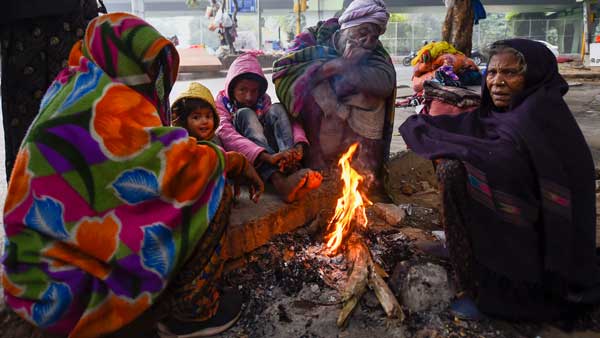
column 458, row 26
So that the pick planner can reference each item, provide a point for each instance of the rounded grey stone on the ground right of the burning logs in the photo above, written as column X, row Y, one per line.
column 426, row 287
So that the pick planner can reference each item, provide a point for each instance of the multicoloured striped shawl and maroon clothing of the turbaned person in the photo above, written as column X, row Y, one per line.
column 293, row 78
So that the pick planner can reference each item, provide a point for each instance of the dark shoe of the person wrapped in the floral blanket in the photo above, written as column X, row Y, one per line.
column 229, row 311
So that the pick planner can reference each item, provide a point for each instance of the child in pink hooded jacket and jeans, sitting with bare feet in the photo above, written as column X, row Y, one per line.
column 262, row 131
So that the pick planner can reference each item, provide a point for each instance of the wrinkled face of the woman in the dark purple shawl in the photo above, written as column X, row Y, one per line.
column 504, row 79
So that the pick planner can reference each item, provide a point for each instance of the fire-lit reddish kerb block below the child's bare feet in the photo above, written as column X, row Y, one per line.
column 253, row 225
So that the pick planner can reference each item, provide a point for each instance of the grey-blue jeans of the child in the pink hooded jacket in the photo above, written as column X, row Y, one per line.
column 271, row 131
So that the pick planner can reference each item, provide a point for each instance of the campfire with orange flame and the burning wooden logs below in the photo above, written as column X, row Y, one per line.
column 350, row 213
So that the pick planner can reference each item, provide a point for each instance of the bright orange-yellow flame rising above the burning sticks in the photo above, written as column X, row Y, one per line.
column 350, row 206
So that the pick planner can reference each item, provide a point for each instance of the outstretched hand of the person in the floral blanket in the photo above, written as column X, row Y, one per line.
column 241, row 172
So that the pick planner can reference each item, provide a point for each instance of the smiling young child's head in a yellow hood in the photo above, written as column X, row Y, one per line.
column 195, row 110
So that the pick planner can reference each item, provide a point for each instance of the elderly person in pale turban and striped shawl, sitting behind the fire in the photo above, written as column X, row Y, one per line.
column 340, row 82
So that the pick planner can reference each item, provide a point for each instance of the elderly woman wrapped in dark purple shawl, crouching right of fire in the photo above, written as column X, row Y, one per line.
column 517, row 180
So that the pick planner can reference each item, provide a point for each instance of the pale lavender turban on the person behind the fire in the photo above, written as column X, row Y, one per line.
column 365, row 11
